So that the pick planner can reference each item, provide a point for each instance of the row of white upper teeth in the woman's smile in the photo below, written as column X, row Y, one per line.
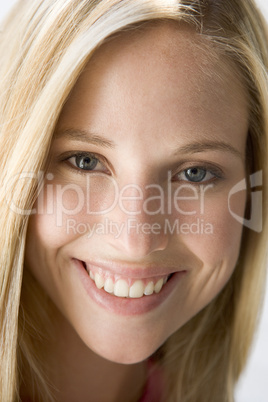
column 122, row 288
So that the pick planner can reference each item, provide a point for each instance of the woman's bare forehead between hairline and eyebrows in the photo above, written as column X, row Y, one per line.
column 166, row 63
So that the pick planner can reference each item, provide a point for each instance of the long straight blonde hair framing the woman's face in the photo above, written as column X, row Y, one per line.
column 44, row 46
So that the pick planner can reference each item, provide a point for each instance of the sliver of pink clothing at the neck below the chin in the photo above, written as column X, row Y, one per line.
column 154, row 388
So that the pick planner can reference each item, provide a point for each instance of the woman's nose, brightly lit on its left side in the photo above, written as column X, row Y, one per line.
column 142, row 228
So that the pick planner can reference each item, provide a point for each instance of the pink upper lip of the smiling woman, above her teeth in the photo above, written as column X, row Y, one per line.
column 135, row 271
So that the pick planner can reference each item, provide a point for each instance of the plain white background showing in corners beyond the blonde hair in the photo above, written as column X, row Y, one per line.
column 253, row 386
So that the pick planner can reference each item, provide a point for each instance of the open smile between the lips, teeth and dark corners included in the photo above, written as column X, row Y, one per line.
column 126, row 287
